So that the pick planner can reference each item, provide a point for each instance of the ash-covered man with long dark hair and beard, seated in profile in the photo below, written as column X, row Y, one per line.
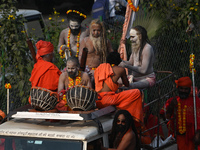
column 140, row 64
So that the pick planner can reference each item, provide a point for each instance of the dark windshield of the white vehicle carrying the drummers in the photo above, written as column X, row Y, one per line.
column 15, row 143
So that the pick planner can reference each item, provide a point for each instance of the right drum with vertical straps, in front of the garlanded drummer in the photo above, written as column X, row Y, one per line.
column 81, row 98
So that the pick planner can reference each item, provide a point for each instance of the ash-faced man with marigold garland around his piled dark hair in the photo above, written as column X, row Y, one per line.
column 70, row 38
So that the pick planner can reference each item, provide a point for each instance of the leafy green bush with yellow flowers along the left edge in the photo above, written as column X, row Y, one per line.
column 15, row 58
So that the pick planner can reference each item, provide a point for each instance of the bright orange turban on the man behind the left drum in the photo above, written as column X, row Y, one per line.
column 43, row 48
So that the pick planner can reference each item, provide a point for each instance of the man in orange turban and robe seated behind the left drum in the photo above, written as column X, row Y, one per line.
column 45, row 74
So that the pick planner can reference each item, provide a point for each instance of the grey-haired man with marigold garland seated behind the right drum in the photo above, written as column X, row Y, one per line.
column 70, row 78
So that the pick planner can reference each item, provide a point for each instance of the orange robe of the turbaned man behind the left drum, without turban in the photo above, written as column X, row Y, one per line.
column 46, row 75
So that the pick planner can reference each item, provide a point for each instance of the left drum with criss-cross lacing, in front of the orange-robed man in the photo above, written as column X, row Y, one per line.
column 43, row 99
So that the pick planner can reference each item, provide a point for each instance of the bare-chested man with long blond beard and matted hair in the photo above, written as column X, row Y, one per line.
column 97, row 44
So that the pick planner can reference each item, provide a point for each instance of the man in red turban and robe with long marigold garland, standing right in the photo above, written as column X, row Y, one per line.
column 184, row 106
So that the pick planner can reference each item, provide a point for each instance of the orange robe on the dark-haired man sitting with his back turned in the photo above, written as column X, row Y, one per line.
column 130, row 100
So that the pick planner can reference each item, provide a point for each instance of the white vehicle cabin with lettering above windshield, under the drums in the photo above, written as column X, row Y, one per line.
column 33, row 130
